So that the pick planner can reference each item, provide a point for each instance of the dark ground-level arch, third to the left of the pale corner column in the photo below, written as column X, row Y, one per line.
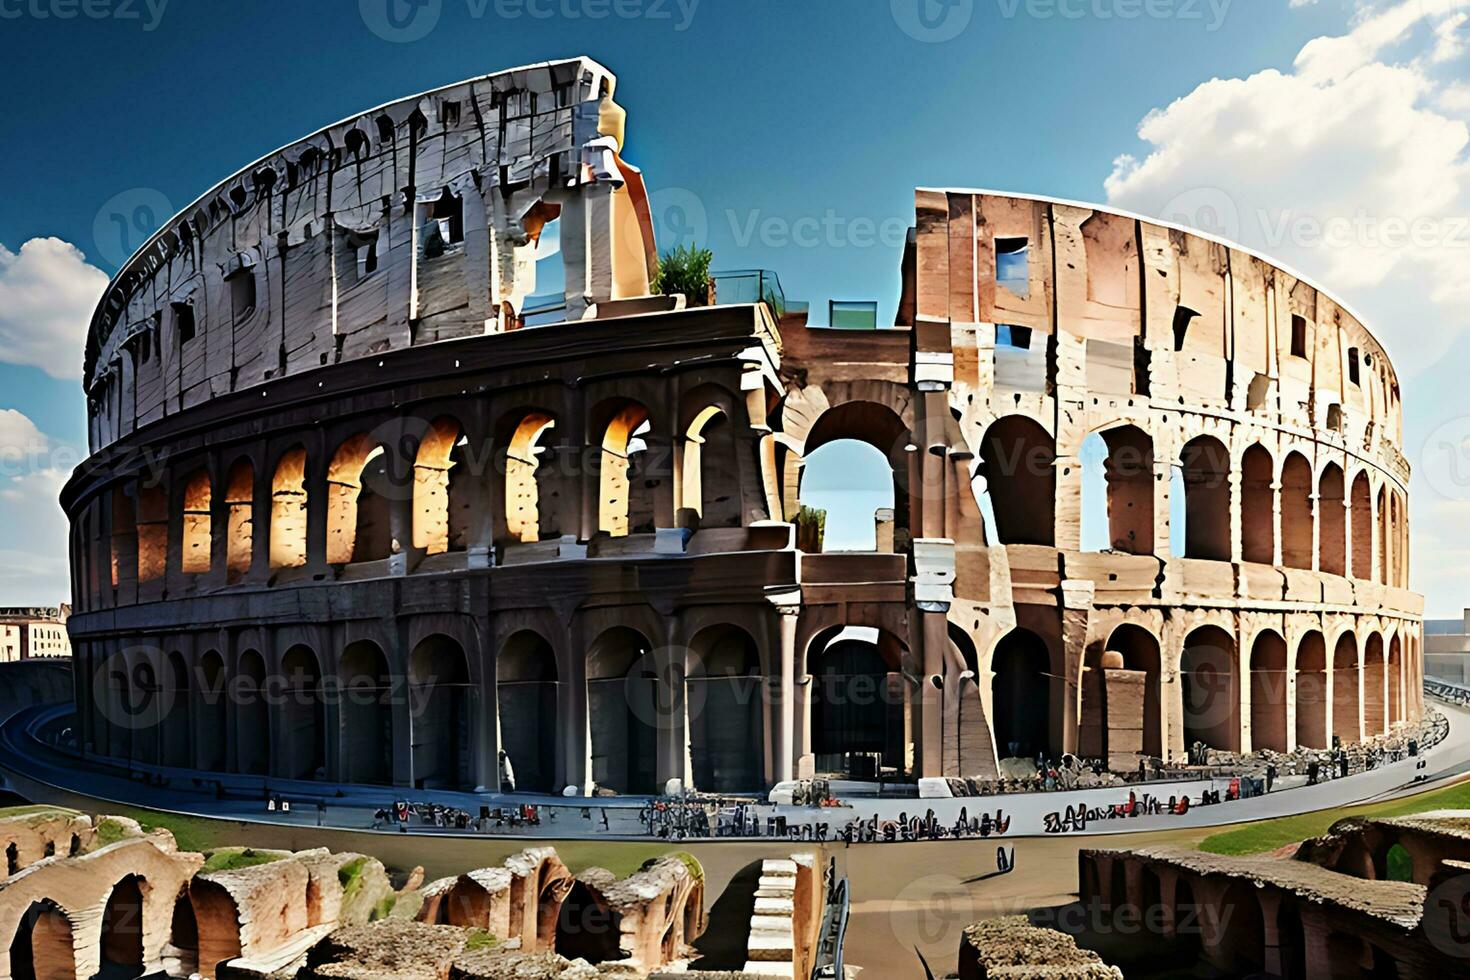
column 527, row 699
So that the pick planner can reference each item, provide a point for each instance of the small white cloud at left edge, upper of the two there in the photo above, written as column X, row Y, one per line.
column 48, row 296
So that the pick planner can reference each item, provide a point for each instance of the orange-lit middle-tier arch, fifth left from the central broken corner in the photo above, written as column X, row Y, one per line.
column 358, row 499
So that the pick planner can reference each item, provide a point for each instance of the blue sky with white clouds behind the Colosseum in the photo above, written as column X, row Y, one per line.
column 787, row 136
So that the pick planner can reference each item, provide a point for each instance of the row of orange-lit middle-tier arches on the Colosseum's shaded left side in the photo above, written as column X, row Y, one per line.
column 443, row 493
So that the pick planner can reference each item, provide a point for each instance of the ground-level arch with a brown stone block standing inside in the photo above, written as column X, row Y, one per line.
column 1121, row 709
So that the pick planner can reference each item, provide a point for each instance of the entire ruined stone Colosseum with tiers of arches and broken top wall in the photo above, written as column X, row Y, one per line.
column 401, row 462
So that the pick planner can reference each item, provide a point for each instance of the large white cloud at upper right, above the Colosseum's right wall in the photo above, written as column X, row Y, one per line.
column 1352, row 168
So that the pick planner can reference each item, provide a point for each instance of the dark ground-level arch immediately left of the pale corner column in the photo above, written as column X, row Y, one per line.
column 725, row 710
